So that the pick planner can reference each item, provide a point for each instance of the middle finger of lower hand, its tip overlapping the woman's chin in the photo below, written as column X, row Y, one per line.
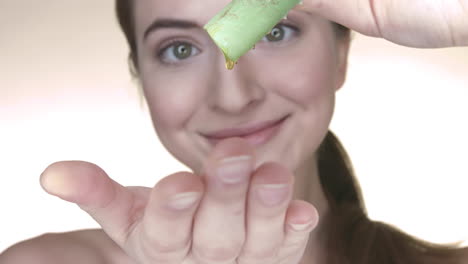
column 219, row 228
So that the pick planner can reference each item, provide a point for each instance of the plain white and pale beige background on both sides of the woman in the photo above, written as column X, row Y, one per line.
column 65, row 93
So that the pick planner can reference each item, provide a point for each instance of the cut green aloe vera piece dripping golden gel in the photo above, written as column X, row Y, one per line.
column 242, row 23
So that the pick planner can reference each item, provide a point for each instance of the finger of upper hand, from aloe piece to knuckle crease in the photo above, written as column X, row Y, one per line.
column 359, row 15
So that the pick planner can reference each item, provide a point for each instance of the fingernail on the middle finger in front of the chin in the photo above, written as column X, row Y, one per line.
column 234, row 169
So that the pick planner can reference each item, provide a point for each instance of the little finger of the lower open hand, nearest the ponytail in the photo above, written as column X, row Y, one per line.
column 301, row 219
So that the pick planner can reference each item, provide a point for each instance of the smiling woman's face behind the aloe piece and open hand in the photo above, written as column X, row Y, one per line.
column 279, row 97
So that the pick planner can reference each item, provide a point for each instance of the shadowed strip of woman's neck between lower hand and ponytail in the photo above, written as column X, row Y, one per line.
column 307, row 187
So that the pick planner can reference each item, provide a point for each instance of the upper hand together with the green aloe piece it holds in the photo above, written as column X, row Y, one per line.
column 422, row 23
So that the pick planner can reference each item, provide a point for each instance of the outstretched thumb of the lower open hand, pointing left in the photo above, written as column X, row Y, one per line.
column 113, row 206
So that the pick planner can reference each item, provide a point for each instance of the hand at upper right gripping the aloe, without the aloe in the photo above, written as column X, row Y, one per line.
column 414, row 23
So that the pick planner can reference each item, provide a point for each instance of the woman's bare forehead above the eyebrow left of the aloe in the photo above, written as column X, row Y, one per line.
column 199, row 11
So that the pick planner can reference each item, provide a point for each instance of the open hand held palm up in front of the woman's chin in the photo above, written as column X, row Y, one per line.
column 190, row 219
